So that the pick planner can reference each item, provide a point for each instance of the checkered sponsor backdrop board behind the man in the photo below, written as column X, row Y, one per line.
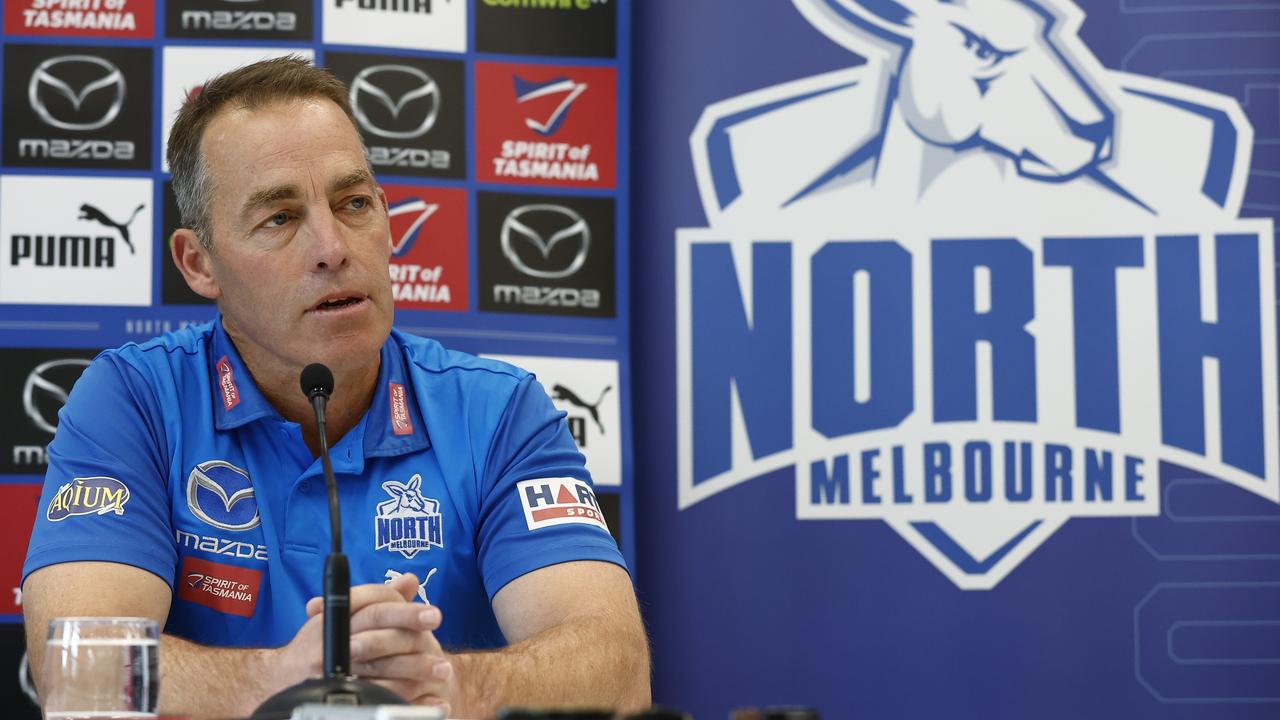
column 86, row 203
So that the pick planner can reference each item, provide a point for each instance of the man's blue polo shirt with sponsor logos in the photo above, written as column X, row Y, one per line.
column 170, row 459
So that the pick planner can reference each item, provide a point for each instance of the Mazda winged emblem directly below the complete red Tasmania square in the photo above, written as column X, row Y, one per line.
column 532, row 234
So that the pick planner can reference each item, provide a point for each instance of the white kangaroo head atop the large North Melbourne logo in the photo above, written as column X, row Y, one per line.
column 990, row 74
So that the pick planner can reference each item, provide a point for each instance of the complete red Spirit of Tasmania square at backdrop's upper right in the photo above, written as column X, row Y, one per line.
column 546, row 125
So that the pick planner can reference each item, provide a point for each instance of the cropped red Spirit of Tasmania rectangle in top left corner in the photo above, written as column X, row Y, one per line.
column 80, row 19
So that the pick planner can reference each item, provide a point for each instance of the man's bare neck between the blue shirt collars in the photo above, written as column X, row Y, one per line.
column 353, row 395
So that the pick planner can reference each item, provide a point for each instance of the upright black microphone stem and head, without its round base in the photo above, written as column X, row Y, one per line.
column 318, row 385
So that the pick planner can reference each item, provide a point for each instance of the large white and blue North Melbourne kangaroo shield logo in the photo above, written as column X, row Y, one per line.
column 975, row 288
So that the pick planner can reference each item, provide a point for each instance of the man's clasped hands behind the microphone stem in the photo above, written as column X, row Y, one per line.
column 392, row 642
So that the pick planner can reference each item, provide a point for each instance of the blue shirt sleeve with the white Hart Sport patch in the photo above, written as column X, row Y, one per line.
column 538, row 504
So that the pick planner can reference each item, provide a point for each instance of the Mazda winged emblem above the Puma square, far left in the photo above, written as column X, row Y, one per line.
column 58, row 79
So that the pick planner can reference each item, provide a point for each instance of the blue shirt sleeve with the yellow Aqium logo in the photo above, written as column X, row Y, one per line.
column 107, row 495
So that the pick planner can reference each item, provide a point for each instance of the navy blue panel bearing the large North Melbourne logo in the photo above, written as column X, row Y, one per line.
column 964, row 317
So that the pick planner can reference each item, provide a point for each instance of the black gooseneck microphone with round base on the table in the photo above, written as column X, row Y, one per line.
column 337, row 687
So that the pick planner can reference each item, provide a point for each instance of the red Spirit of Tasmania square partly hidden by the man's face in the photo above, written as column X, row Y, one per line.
column 429, row 247
